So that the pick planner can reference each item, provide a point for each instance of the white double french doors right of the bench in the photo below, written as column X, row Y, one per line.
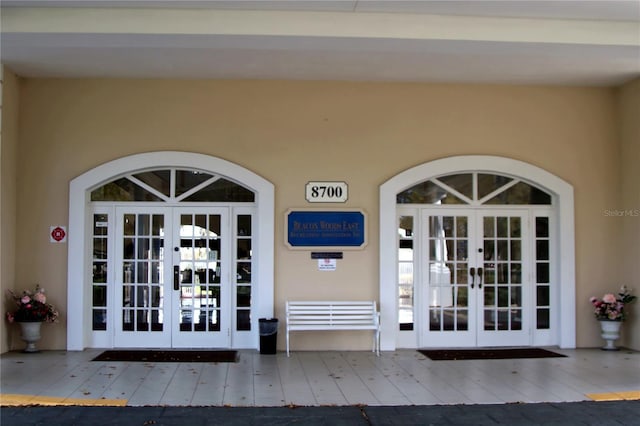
column 476, row 285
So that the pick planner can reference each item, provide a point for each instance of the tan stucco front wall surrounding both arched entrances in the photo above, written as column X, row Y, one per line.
column 293, row 132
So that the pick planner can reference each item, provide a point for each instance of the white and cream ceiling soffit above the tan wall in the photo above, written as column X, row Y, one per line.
column 514, row 42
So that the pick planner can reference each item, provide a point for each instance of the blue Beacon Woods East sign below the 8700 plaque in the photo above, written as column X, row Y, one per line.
column 325, row 229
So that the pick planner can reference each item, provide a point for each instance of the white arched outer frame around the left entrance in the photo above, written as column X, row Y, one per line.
column 79, row 250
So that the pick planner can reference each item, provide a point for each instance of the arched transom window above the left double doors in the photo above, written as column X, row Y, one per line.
column 173, row 185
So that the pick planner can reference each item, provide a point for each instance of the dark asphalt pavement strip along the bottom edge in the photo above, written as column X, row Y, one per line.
column 566, row 413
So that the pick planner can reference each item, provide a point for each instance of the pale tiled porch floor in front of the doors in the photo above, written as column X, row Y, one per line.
column 403, row 377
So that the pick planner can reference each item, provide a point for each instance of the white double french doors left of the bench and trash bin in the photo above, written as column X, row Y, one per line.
column 172, row 277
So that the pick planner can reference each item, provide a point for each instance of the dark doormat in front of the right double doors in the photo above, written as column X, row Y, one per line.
column 511, row 353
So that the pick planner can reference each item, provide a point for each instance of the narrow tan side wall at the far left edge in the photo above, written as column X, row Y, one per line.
column 8, row 174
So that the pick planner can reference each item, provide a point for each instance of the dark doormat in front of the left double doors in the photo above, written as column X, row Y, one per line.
column 168, row 356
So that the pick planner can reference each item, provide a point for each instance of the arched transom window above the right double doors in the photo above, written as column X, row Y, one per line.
column 474, row 189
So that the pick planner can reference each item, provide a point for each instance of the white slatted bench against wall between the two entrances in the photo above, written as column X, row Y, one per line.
column 327, row 315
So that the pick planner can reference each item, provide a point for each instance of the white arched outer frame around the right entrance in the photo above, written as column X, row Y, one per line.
column 562, row 200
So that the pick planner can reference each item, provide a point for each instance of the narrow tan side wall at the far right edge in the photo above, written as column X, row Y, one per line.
column 629, row 205
